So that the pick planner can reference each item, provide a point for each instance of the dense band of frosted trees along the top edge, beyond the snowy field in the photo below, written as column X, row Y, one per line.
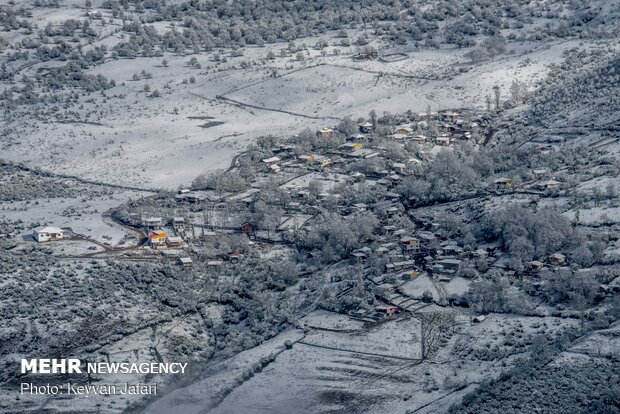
column 224, row 24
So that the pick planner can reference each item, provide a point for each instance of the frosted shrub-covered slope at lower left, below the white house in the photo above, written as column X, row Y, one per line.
column 252, row 293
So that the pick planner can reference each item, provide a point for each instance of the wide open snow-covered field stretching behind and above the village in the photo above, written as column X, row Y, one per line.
column 131, row 138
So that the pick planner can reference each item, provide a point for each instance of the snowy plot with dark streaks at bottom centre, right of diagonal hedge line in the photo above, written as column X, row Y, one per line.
column 308, row 380
